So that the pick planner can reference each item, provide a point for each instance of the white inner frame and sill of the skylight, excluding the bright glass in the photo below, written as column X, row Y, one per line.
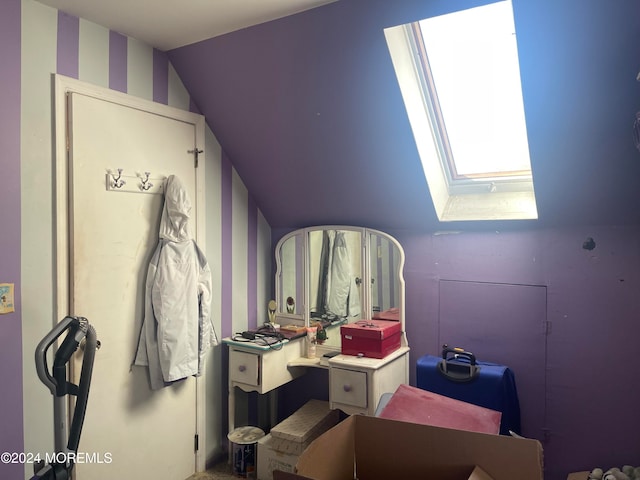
column 492, row 196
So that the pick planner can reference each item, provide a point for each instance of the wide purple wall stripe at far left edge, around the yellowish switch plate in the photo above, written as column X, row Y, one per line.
column 11, row 432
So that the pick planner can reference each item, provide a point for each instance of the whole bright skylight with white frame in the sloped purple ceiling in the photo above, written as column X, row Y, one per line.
column 460, row 81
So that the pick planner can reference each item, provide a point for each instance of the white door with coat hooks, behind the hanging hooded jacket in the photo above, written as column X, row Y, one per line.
column 113, row 233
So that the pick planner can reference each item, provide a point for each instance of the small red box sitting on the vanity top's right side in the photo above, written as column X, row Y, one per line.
column 371, row 338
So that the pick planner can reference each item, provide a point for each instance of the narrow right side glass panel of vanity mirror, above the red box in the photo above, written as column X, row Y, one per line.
column 385, row 273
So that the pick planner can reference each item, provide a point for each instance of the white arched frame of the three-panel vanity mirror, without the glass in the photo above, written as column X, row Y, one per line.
column 304, row 318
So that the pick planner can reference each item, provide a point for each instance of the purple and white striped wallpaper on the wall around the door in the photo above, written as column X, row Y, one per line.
column 238, row 238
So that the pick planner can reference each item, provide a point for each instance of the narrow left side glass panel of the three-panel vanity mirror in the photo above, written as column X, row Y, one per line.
column 291, row 279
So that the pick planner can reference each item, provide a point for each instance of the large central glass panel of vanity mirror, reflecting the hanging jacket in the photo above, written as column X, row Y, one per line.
column 335, row 273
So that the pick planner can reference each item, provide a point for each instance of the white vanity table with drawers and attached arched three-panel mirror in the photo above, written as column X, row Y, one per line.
column 340, row 275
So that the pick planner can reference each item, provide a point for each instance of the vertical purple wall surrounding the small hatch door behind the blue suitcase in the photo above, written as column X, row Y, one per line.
column 593, row 308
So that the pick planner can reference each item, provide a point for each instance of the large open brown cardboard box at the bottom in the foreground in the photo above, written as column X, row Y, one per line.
column 382, row 448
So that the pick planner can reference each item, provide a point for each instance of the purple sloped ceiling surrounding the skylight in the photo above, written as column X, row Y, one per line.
column 308, row 110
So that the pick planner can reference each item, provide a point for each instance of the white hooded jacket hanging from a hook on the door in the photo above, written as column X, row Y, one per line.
column 177, row 330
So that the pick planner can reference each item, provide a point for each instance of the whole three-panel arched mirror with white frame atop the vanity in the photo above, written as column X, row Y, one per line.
column 337, row 275
